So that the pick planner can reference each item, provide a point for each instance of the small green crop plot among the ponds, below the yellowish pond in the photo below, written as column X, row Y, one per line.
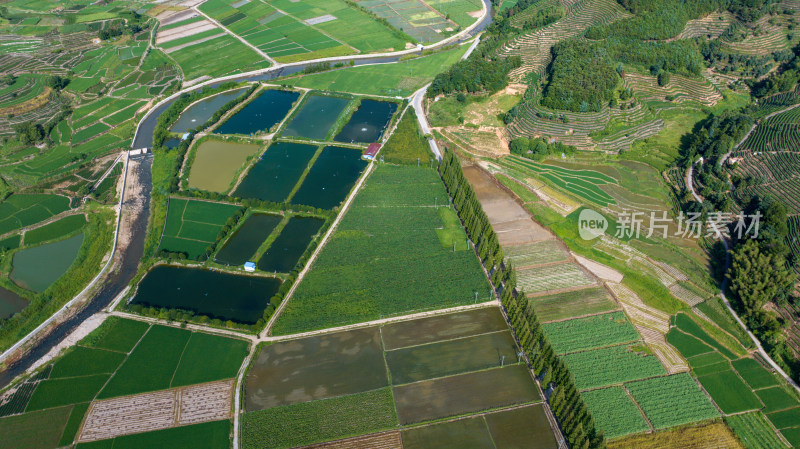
column 192, row 226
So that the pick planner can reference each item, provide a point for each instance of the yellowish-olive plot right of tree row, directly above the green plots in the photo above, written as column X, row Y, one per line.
column 571, row 304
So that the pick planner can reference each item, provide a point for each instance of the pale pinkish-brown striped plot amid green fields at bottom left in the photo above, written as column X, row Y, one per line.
column 159, row 410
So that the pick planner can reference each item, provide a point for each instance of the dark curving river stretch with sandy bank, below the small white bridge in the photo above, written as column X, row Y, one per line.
column 135, row 211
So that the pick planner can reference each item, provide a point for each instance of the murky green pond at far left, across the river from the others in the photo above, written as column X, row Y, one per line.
column 38, row 267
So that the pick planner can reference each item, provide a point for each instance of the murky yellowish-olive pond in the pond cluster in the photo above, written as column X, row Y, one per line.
column 216, row 163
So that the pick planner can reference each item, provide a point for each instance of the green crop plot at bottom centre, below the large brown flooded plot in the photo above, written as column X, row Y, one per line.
column 317, row 421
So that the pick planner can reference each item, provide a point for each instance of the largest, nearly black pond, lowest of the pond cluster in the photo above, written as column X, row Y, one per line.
column 205, row 292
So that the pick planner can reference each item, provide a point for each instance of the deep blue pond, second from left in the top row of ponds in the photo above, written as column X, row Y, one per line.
column 260, row 114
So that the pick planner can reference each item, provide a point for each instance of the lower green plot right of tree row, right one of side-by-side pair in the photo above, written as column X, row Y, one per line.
column 672, row 400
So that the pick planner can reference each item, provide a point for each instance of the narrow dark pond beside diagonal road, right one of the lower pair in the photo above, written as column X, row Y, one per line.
column 290, row 245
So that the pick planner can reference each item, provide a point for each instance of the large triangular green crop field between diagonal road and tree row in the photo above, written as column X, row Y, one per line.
column 364, row 271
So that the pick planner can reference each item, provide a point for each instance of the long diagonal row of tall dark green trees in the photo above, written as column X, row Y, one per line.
column 570, row 410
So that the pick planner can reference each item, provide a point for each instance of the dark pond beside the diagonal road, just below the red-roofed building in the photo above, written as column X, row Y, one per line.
column 330, row 178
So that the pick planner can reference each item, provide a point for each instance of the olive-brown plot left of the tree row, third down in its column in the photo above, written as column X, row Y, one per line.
column 444, row 397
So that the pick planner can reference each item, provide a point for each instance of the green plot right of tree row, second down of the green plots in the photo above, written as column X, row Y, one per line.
column 609, row 366
